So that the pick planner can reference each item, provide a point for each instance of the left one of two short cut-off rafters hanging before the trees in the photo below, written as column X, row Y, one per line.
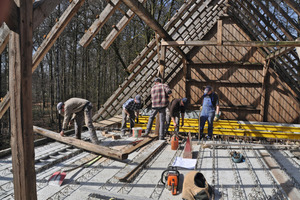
column 99, row 22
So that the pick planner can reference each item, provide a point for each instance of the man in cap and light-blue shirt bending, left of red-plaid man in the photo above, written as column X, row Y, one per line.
column 131, row 109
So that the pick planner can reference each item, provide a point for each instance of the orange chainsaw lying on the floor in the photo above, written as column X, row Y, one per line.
column 171, row 177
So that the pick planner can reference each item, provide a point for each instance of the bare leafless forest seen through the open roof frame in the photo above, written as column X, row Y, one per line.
column 70, row 70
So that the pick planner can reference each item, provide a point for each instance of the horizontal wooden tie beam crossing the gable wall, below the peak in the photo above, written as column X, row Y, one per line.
column 233, row 43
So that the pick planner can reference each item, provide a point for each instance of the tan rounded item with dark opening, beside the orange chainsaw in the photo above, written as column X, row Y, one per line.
column 195, row 187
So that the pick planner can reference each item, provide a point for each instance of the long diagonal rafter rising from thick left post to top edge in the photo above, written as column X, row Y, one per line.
column 55, row 32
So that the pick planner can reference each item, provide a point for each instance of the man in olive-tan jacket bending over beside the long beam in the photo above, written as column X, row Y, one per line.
column 77, row 110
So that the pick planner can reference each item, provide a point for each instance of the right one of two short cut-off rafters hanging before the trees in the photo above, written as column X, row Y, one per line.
column 118, row 28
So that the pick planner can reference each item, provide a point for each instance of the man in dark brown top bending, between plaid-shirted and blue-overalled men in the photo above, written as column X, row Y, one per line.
column 173, row 111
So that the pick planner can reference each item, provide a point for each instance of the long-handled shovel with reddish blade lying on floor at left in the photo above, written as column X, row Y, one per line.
column 58, row 177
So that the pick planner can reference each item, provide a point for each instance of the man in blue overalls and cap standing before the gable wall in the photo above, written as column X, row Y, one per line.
column 210, row 106
